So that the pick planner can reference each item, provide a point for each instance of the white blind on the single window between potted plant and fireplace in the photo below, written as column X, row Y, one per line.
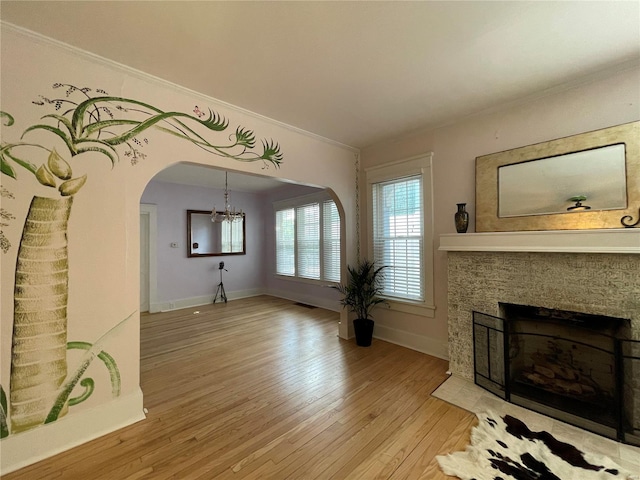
column 398, row 235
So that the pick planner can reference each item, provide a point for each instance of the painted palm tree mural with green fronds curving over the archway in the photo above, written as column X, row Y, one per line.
column 91, row 122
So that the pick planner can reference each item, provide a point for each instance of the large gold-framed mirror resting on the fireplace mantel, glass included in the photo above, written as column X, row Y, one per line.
column 591, row 180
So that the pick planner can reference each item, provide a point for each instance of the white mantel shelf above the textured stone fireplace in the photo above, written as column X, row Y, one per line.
column 623, row 240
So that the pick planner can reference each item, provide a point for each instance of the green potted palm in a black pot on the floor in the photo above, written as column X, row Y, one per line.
column 360, row 294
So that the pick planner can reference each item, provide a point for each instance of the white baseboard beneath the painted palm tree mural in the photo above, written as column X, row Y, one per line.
column 22, row 449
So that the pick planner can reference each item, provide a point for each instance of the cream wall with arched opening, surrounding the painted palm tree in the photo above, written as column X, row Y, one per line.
column 103, row 232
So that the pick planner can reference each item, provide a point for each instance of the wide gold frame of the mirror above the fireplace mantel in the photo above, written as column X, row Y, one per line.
column 487, row 219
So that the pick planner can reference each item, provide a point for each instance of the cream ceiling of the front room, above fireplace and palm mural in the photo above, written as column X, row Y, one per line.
column 360, row 72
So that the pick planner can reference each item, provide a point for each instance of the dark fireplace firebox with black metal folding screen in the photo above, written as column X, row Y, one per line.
column 579, row 368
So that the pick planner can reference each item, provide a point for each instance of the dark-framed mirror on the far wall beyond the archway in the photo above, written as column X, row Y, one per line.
column 209, row 239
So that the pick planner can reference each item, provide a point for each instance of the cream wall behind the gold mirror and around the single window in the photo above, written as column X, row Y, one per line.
column 610, row 101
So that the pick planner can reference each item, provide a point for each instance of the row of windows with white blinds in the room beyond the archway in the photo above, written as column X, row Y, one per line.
column 308, row 240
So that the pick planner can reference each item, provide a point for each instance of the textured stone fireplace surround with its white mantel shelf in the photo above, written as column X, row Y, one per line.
column 594, row 272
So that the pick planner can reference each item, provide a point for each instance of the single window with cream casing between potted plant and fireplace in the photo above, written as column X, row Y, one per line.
column 401, row 231
